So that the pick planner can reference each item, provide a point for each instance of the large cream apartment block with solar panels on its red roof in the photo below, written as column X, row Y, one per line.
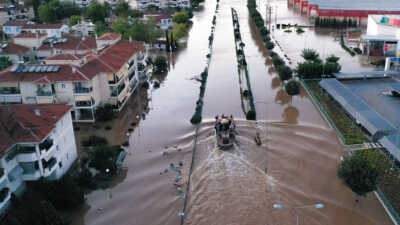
column 82, row 81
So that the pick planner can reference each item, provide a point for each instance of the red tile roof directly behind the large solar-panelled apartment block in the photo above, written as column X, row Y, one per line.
column 72, row 43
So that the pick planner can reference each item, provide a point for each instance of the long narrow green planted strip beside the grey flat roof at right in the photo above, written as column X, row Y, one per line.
column 350, row 132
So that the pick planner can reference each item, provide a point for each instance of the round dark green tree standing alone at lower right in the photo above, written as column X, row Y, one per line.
column 359, row 174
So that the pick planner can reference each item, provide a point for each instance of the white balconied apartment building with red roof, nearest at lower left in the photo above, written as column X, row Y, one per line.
column 36, row 141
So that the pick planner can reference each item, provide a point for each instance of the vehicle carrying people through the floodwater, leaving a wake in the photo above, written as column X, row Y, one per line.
column 225, row 131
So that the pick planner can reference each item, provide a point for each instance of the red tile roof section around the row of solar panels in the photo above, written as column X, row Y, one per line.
column 64, row 74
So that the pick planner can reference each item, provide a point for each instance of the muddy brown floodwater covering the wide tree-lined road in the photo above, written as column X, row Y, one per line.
column 296, row 165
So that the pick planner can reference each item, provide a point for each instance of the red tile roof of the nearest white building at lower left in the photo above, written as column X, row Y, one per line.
column 20, row 123
